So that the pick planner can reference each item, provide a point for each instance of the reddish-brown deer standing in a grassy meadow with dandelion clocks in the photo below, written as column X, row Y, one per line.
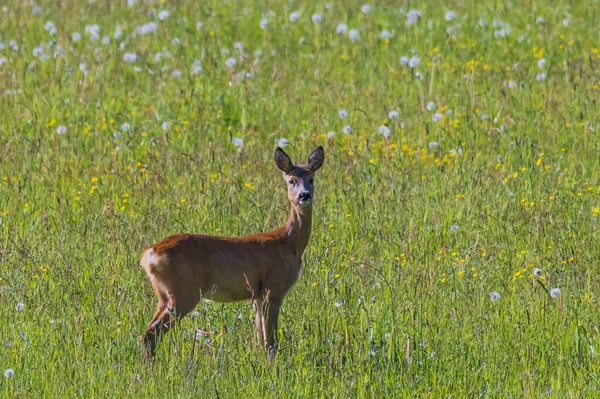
column 183, row 268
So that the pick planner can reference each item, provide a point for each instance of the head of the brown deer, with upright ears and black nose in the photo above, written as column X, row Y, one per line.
column 300, row 179
